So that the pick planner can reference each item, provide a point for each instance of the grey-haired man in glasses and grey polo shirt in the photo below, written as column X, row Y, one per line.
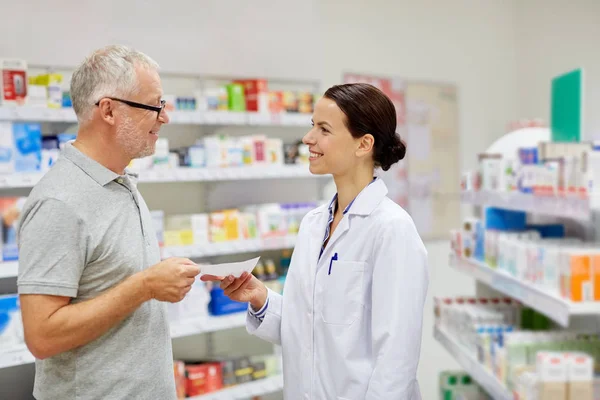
column 91, row 284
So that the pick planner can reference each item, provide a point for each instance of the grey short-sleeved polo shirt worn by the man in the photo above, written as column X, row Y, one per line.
column 83, row 230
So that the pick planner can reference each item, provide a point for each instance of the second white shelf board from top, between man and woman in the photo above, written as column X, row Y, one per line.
column 272, row 171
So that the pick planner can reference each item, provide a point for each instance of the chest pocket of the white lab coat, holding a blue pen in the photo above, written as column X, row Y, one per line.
column 342, row 297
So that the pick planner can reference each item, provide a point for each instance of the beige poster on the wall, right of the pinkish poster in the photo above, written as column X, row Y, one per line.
column 433, row 148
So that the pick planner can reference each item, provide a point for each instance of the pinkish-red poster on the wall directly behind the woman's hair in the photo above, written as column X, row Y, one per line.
column 396, row 178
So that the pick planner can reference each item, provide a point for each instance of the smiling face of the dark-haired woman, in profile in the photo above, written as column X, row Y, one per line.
column 333, row 149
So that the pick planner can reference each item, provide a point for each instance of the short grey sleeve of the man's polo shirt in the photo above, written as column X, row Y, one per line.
column 52, row 249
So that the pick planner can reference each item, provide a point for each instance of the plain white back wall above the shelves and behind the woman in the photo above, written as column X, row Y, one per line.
column 471, row 44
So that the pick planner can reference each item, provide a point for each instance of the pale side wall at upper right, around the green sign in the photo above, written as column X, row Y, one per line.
column 554, row 37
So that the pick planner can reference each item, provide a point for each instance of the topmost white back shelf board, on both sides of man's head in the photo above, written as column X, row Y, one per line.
column 67, row 115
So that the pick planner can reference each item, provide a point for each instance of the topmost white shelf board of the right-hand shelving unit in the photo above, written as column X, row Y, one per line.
column 571, row 206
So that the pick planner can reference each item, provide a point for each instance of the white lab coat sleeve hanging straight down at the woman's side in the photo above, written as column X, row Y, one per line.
column 399, row 288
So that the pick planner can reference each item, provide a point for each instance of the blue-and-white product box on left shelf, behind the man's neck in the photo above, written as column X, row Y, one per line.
column 27, row 139
